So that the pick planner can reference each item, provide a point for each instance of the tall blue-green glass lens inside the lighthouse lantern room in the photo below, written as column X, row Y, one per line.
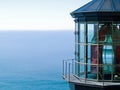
column 107, row 55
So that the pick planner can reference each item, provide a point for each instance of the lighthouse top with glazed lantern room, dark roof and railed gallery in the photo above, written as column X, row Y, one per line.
column 97, row 47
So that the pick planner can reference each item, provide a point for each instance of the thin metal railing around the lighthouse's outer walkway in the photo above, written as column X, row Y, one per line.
column 69, row 70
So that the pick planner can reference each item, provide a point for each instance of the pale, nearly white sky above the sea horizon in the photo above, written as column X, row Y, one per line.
column 38, row 14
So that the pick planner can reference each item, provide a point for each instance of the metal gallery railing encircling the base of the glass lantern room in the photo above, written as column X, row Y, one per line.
column 69, row 70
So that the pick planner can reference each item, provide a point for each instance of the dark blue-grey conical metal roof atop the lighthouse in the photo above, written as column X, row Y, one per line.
column 101, row 10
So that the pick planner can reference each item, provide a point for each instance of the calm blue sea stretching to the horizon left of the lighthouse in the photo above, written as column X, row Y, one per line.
column 32, row 60
